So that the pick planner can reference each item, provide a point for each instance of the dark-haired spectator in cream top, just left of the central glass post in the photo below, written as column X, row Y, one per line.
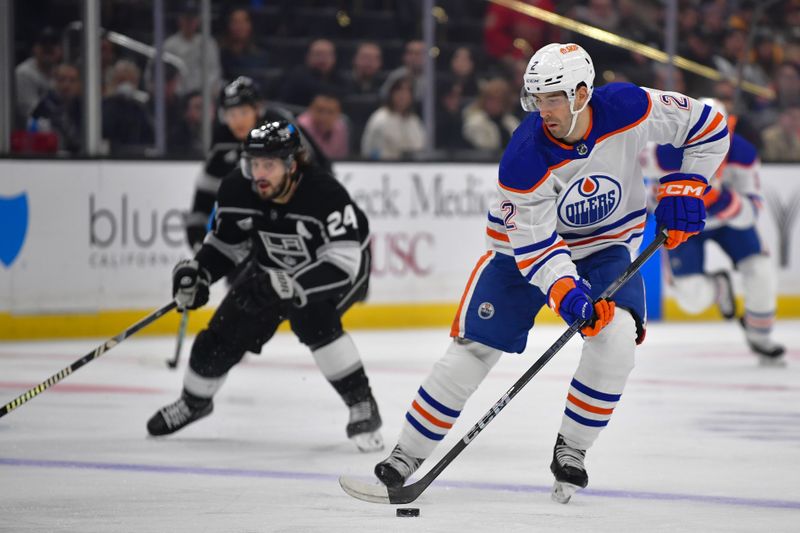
column 394, row 129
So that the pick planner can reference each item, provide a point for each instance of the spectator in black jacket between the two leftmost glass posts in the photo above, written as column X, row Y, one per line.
column 127, row 126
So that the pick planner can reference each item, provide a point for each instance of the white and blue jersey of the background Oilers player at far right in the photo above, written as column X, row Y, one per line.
column 739, row 172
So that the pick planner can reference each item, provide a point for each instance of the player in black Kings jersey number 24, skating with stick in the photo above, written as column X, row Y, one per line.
column 311, row 262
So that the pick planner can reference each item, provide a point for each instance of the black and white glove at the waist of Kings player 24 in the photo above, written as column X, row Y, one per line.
column 264, row 290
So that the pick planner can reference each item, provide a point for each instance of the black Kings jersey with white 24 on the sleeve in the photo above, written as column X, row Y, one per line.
column 318, row 237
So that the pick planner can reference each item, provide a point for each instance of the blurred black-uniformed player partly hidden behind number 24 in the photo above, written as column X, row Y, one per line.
column 240, row 110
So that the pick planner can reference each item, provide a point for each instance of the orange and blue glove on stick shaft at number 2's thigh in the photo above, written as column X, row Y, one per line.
column 572, row 300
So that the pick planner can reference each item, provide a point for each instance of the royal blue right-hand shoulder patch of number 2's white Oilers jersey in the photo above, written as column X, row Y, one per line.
column 617, row 107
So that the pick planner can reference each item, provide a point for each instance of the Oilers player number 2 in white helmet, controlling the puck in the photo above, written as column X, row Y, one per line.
column 571, row 210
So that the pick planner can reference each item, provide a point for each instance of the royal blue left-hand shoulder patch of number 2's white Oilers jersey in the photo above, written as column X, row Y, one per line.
column 523, row 165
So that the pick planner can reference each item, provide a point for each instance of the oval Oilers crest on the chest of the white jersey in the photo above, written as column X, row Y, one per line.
column 589, row 200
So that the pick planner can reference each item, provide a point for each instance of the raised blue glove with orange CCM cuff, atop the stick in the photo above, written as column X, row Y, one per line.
column 680, row 206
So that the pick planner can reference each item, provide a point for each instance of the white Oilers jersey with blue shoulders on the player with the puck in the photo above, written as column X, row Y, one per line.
column 559, row 202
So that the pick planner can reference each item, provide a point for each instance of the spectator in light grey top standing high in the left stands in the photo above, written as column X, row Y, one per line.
column 187, row 44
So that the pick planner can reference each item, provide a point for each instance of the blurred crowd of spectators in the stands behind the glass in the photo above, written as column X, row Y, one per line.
column 354, row 74
